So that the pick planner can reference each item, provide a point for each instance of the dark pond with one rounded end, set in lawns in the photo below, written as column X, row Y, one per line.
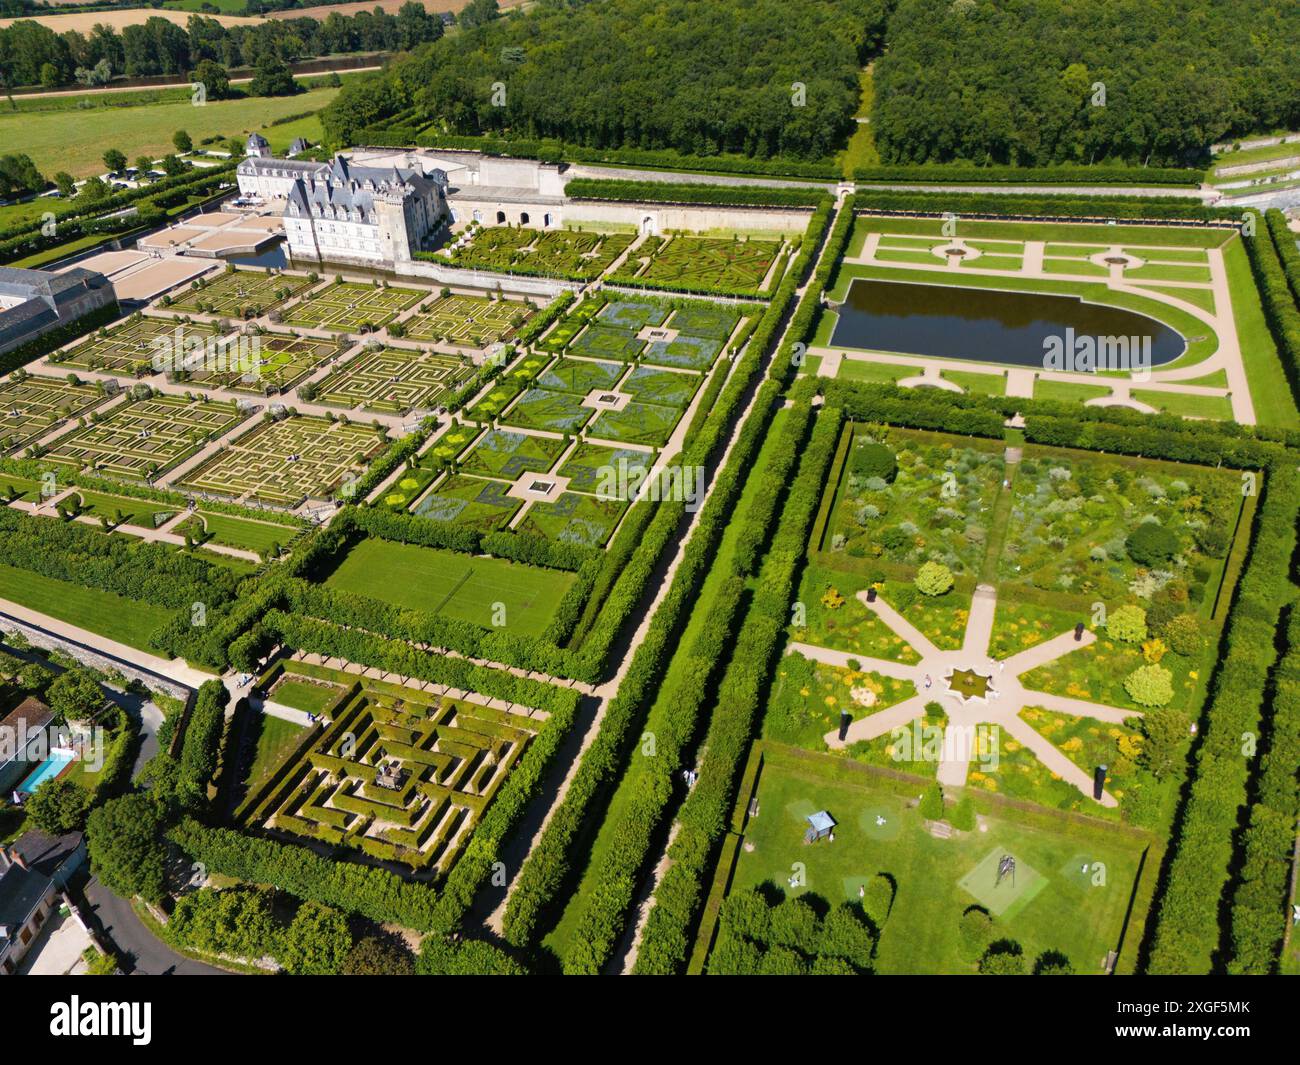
column 1025, row 330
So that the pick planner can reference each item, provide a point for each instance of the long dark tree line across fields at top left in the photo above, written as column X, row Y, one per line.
column 33, row 54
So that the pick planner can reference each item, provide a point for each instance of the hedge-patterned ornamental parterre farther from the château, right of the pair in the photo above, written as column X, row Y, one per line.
column 703, row 265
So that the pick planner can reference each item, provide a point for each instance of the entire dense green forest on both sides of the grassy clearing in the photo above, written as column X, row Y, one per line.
column 982, row 83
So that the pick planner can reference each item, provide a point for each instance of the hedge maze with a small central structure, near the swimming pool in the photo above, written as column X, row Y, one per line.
column 400, row 778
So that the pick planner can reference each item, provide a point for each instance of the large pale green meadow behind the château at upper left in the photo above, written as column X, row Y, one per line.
column 75, row 141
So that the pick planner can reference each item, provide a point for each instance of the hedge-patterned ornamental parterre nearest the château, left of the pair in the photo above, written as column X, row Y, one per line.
column 556, row 253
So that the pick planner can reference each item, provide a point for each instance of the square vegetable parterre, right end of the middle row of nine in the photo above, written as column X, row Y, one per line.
column 395, row 380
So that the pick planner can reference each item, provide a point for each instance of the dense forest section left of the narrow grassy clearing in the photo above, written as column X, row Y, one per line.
column 759, row 77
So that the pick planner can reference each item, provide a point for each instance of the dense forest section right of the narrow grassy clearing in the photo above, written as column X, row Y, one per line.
column 1035, row 83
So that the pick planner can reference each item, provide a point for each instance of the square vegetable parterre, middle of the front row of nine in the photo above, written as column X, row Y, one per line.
column 140, row 440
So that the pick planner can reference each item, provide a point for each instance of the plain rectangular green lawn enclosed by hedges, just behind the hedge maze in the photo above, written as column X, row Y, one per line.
column 453, row 585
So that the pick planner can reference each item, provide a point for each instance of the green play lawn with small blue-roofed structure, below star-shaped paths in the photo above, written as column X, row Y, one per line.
column 1055, row 903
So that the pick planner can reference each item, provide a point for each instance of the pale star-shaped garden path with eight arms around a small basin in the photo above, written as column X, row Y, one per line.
column 972, row 721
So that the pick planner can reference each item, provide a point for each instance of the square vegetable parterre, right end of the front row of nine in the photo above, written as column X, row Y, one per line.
column 283, row 464
